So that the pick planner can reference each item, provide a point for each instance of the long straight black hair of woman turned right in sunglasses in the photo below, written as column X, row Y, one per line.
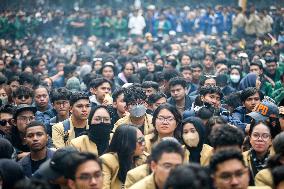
column 124, row 144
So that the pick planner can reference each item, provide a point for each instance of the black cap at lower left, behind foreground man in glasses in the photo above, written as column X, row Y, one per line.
column 57, row 166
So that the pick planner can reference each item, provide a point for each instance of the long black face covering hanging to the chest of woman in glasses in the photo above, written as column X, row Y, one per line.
column 99, row 134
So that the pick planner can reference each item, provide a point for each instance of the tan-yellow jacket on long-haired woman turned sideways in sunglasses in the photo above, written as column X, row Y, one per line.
column 111, row 167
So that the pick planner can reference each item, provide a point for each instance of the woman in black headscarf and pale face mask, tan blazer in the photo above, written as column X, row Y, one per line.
column 193, row 137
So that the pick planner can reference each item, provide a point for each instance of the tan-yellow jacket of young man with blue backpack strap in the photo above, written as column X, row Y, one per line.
column 58, row 134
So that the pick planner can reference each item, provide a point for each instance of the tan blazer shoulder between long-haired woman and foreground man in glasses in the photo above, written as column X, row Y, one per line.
column 136, row 174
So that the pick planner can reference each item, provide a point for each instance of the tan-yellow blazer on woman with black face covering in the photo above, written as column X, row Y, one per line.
column 84, row 144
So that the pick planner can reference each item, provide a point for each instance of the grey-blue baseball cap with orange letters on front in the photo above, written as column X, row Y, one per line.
column 265, row 110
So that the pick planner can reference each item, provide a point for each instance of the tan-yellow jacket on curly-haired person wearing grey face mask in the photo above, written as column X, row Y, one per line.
column 148, row 126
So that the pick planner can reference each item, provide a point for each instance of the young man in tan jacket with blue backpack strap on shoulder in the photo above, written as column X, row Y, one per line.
column 64, row 132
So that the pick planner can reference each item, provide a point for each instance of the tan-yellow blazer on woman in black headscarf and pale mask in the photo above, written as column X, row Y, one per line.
column 205, row 155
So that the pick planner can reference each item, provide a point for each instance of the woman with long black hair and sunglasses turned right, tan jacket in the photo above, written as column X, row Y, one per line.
column 126, row 151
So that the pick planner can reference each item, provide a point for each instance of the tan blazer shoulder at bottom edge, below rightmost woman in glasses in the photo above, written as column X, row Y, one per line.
column 264, row 178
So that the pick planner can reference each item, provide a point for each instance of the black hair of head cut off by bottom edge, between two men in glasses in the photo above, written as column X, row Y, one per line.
column 178, row 177
